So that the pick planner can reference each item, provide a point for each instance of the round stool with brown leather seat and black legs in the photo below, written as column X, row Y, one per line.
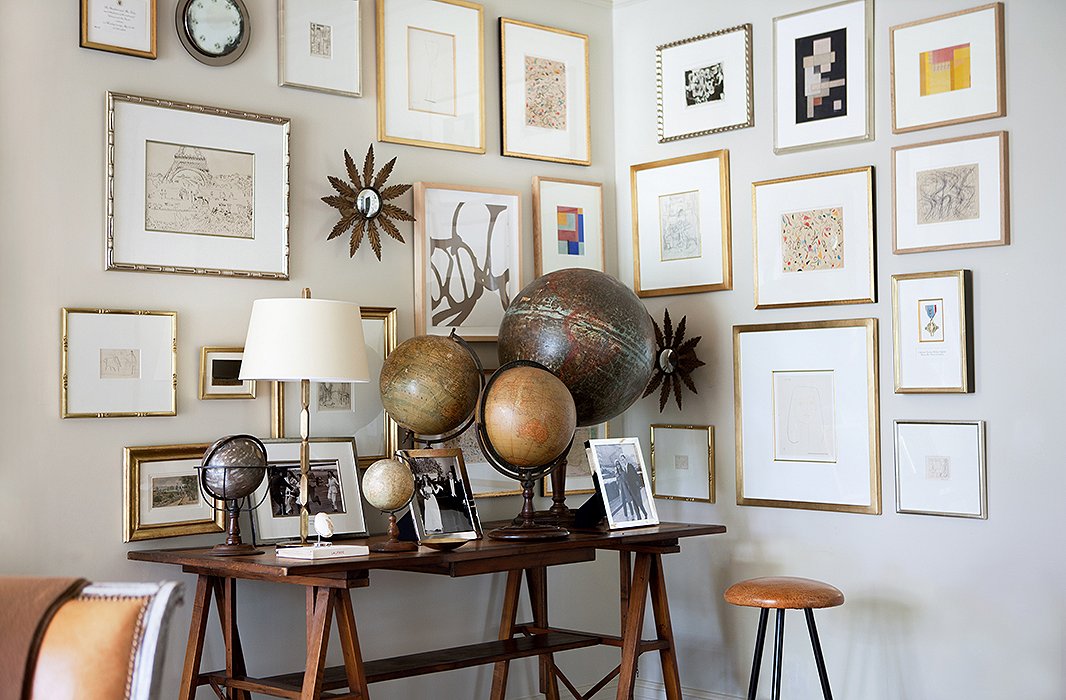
column 782, row 594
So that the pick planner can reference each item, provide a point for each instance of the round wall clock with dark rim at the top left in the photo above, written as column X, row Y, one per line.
column 215, row 32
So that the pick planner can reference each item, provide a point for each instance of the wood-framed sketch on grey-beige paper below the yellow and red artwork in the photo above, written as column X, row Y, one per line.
column 951, row 194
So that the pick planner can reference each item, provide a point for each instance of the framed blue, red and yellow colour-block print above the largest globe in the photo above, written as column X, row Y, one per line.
column 568, row 225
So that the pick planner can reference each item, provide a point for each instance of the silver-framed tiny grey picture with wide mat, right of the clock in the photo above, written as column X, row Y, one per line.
column 319, row 46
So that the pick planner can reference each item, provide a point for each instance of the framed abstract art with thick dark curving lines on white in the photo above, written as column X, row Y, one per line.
column 467, row 258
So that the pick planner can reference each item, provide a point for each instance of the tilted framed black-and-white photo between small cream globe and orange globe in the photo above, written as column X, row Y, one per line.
column 444, row 503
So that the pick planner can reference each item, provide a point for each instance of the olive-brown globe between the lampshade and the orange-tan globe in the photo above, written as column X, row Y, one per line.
column 430, row 385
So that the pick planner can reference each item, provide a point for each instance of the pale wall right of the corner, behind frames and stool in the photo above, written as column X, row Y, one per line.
column 938, row 608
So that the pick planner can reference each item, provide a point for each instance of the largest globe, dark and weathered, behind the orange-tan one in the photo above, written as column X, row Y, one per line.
column 591, row 331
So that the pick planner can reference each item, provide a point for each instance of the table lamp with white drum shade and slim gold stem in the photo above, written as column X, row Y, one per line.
column 305, row 340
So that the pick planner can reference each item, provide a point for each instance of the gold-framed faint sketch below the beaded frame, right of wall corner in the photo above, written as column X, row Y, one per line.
column 682, row 227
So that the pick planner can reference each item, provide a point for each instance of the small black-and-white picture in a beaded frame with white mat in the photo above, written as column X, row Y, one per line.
column 705, row 85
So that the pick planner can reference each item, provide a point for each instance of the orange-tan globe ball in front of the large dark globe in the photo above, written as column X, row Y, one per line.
column 529, row 416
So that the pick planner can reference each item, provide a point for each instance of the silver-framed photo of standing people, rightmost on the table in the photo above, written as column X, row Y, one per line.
column 624, row 481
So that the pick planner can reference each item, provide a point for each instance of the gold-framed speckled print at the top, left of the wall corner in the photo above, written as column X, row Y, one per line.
column 544, row 78
